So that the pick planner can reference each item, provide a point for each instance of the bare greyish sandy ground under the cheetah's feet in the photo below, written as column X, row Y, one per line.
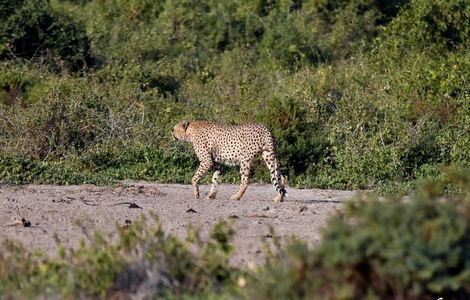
column 53, row 211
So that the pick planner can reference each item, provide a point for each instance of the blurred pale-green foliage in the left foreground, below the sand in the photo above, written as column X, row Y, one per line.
column 144, row 261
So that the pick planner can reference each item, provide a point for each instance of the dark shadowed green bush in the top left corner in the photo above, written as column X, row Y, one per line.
column 31, row 30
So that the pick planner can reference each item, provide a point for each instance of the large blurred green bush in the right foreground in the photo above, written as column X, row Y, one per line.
column 380, row 248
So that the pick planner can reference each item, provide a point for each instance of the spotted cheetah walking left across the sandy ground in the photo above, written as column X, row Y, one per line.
column 215, row 144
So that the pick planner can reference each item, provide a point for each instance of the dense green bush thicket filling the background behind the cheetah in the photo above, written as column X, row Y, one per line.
column 359, row 93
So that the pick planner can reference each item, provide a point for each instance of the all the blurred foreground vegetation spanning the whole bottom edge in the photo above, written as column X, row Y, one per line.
column 375, row 249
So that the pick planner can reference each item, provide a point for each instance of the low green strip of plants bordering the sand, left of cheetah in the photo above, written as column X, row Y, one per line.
column 104, row 165
